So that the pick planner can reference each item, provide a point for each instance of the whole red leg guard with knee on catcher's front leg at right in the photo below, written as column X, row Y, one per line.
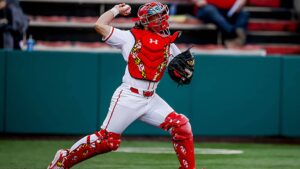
column 182, row 137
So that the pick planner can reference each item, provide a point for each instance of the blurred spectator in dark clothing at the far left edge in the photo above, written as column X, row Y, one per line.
column 13, row 24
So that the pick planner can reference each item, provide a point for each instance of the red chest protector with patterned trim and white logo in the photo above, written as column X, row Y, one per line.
column 150, row 54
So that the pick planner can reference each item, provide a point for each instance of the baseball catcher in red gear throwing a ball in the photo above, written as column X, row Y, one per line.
column 147, row 49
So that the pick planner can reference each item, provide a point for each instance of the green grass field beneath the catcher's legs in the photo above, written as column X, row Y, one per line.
column 36, row 154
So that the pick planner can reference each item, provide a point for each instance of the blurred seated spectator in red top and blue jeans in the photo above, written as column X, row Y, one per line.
column 228, row 16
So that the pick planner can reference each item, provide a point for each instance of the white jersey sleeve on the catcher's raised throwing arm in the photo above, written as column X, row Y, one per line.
column 117, row 38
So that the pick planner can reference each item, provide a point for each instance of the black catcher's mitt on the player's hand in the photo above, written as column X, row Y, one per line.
column 181, row 67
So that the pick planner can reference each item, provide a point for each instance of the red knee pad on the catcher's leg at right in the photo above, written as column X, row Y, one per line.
column 178, row 125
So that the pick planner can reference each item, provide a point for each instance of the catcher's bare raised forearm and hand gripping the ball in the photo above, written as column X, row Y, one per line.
column 102, row 25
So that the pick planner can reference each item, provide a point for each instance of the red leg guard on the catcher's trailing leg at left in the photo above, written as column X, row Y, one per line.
column 105, row 142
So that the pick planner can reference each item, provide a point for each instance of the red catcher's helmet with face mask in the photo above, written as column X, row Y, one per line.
column 155, row 16
